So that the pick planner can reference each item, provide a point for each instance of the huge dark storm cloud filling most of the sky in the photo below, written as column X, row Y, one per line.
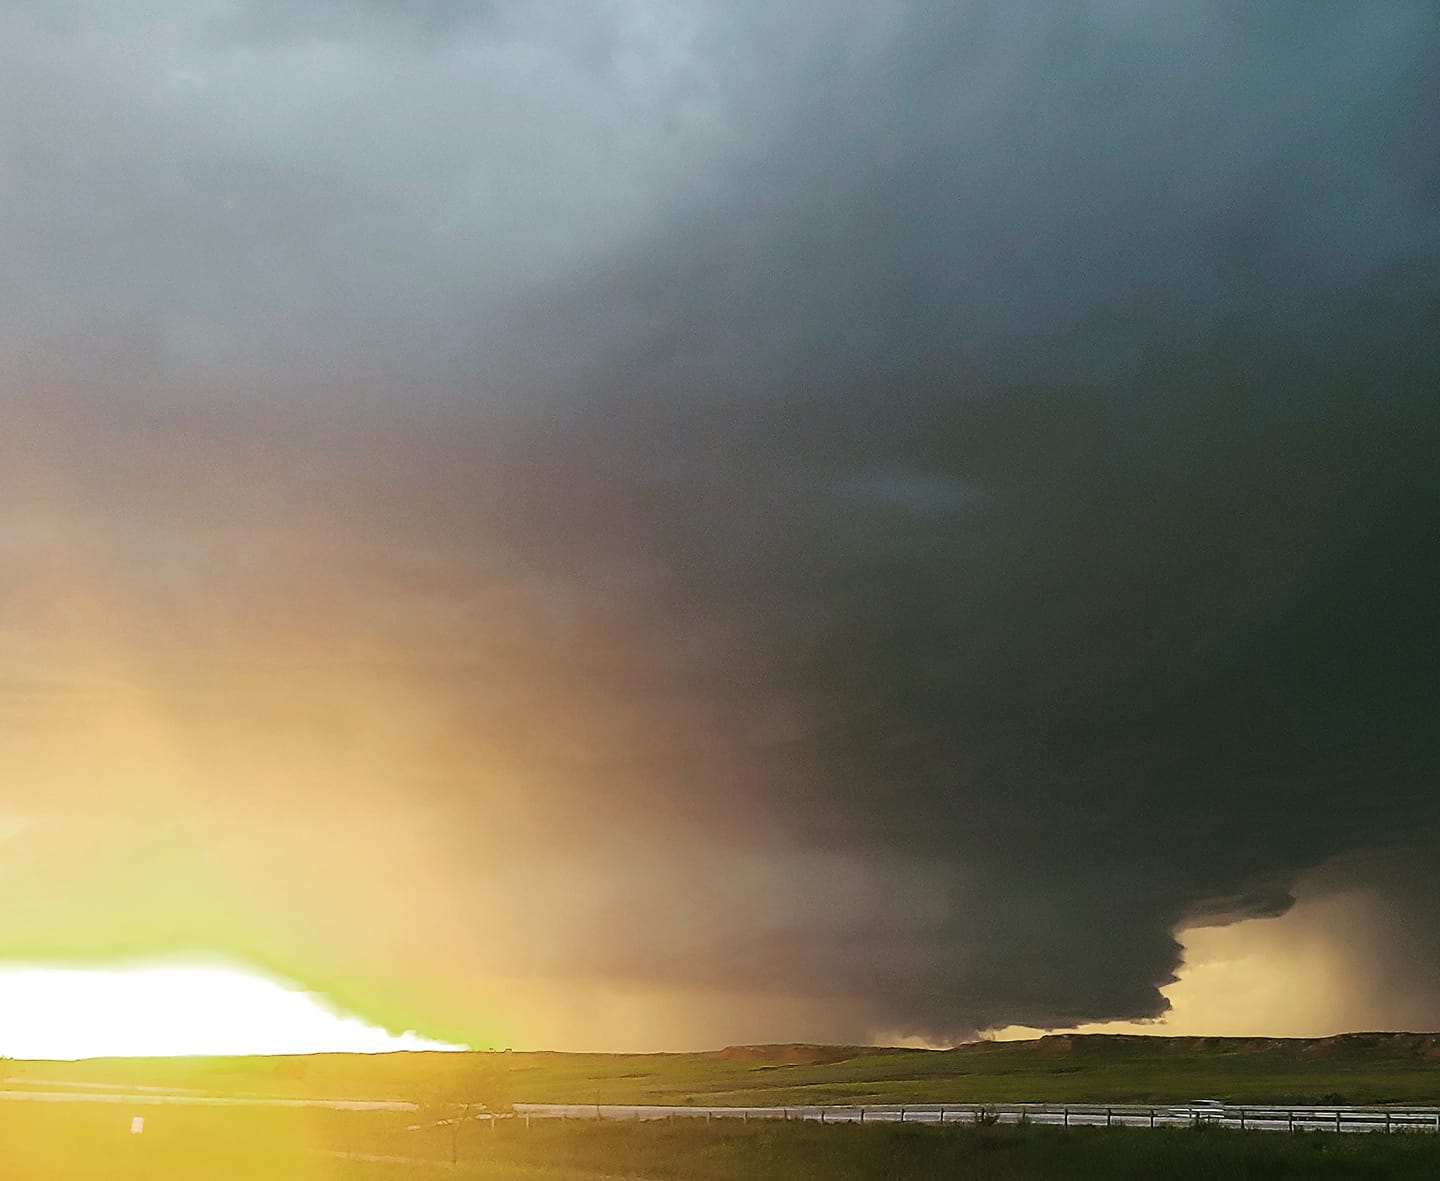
column 912, row 503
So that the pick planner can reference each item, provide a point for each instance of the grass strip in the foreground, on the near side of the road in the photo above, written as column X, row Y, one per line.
column 84, row 1143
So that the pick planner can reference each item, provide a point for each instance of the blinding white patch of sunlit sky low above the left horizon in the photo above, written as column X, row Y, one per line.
column 162, row 1010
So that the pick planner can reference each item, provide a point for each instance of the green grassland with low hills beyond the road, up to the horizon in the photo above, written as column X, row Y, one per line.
column 1099, row 1069
